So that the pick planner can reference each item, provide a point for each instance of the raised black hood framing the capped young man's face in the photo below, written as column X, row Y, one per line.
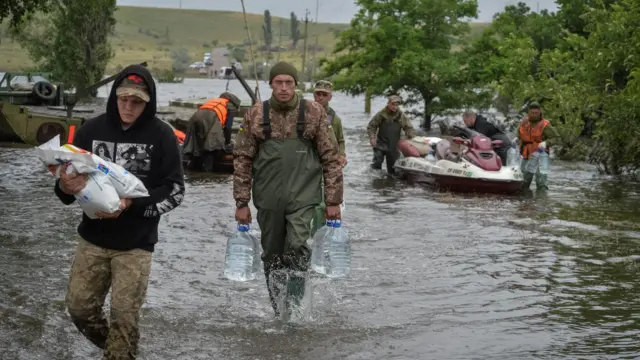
column 151, row 107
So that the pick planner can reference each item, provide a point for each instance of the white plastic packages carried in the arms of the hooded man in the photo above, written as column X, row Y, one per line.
column 107, row 182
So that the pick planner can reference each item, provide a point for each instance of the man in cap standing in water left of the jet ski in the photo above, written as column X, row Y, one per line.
column 384, row 132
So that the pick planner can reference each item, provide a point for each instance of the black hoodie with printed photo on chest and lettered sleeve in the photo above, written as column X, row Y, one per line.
column 148, row 149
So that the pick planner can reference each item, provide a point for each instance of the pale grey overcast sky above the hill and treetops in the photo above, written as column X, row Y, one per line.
column 335, row 11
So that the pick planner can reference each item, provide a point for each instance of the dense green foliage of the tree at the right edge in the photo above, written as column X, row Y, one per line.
column 581, row 64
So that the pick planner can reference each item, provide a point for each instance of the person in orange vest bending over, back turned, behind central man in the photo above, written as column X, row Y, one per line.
column 209, row 131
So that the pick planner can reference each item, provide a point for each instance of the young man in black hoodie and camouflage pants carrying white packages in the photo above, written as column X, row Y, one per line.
column 115, row 250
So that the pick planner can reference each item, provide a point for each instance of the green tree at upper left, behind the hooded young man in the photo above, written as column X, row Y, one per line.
column 72, row 41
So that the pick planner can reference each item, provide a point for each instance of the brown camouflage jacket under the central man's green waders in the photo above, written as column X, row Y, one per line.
column 283, row 126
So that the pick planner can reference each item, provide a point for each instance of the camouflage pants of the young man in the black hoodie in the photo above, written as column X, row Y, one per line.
column 93, row 272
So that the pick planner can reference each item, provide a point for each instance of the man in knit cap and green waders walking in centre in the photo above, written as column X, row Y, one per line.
column 284, row 150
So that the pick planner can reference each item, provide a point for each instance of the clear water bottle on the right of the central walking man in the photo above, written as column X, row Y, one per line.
column 339, row 249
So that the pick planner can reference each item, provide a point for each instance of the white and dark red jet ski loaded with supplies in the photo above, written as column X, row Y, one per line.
column 476, row 168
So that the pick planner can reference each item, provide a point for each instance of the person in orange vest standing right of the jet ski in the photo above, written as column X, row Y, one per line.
column 535, row 133
